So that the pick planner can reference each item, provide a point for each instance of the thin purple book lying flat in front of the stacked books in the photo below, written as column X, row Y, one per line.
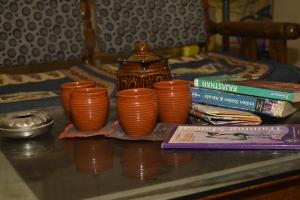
column 283, row 136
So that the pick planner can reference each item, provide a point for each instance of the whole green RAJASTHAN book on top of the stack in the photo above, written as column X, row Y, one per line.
column 267, row 89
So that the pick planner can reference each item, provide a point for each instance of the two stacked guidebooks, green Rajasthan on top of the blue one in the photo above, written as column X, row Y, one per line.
column 256, row 96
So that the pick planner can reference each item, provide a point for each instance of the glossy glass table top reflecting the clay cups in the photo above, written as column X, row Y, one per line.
column 108, row 168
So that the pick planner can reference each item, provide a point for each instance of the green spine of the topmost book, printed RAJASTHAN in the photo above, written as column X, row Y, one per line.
column 242, row 89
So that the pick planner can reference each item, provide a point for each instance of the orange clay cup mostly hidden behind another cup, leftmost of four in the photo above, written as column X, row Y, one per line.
column 67, row 88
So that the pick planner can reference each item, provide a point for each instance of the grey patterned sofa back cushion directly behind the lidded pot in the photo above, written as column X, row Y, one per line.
column 163, row 24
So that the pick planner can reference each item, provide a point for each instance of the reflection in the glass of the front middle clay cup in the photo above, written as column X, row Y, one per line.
column 141, row 160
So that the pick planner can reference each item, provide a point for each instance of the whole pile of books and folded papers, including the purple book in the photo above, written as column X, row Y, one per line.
column 238, row 105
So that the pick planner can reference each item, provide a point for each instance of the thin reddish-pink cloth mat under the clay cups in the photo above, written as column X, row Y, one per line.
column 114, row 130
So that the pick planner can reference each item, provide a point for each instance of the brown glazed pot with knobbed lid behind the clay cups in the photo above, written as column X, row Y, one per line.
column 142, row 69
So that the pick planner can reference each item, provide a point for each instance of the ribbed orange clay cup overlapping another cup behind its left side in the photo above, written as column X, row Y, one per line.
column 89, row 108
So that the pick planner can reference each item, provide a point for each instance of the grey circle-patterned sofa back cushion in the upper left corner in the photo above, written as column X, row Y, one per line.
column 37, row 31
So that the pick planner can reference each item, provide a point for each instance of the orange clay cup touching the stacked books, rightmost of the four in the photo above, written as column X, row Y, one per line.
column 174, row 101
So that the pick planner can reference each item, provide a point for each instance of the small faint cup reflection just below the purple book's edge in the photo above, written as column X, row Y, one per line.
column 176, row 159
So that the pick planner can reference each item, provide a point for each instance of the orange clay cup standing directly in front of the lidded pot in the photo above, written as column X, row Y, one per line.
column 137, row 110
